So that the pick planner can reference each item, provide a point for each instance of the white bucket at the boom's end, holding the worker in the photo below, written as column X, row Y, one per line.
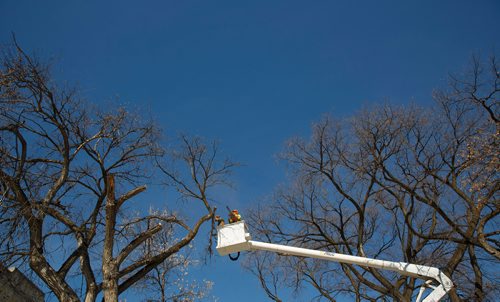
column 232, row 238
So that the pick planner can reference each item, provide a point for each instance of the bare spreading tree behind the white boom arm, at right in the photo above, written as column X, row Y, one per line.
column 408, row 184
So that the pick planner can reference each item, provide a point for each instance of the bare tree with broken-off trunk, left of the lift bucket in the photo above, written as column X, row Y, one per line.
column 66, row 171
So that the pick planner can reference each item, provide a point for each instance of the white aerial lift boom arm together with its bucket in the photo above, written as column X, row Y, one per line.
column 233, row 238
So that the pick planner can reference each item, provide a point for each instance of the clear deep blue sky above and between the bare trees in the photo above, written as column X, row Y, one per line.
column 253, row 73
